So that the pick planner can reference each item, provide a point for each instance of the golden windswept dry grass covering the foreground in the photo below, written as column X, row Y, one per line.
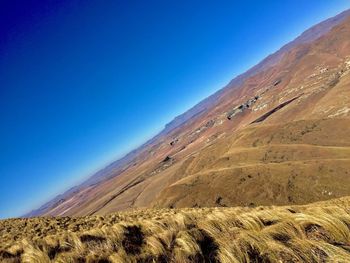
column 313, row 233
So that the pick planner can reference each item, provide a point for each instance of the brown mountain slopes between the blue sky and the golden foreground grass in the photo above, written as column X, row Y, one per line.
column 277, row 134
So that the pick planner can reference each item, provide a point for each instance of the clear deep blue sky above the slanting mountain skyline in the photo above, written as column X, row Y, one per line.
column 83, row 82
